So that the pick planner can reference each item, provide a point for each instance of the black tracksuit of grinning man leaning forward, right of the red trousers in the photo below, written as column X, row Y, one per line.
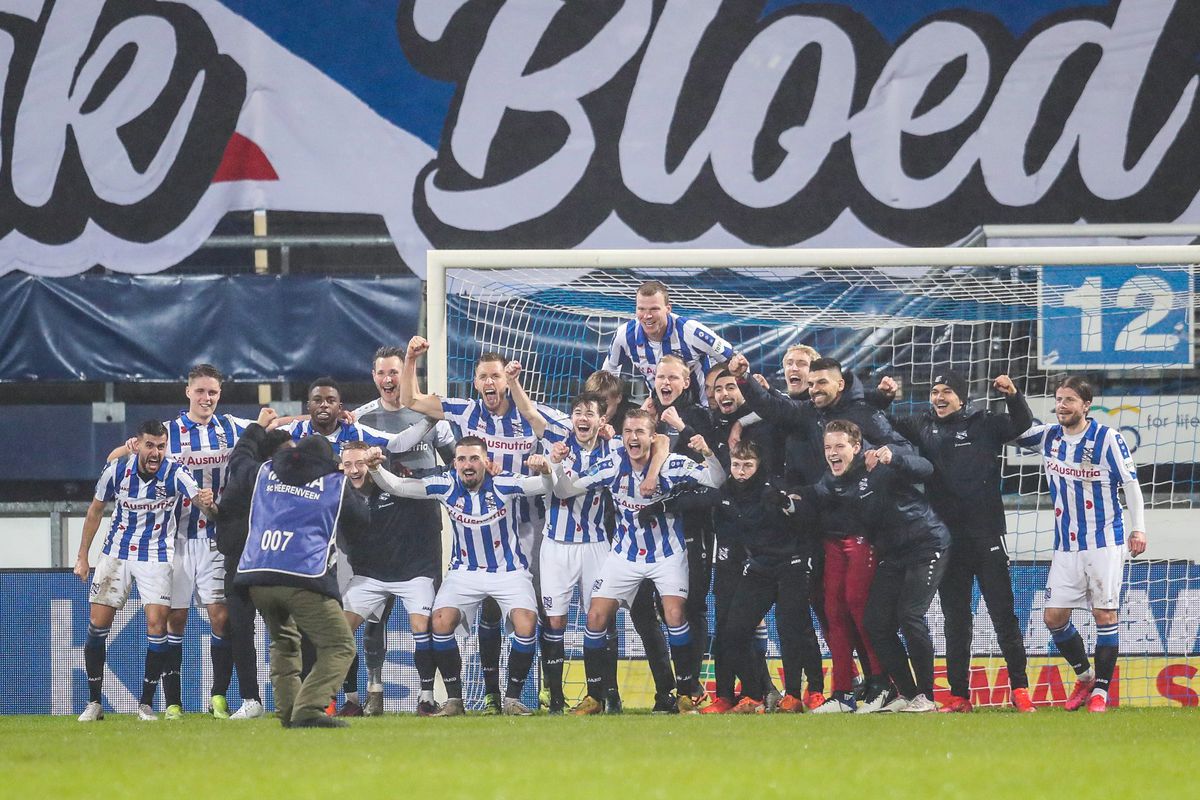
column 911, row 544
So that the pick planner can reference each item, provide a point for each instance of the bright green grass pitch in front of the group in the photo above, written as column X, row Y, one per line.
column 1125, row 754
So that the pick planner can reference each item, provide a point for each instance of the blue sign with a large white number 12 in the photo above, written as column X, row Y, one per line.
column 1115, row 317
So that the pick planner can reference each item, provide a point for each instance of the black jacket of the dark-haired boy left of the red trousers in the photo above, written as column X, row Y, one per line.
column 751, row 515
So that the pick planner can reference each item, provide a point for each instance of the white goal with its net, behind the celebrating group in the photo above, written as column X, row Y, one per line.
column 1120, row 316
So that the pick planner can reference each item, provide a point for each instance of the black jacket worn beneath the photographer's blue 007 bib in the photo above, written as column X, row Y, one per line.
column 311, row 459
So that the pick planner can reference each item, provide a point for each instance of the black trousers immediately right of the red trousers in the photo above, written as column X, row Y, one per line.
column 899, row 600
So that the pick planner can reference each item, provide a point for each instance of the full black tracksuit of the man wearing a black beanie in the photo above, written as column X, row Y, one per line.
column 965, row 491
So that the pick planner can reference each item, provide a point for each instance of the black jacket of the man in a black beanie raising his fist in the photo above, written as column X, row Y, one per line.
column 965, row 450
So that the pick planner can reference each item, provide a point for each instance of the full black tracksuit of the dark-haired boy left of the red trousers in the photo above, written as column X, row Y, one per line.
column 776, row 573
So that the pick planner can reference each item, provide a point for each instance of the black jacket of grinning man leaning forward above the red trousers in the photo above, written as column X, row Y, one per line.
column 886, row 503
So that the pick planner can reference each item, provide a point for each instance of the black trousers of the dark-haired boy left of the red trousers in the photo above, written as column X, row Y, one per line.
column 787, row 587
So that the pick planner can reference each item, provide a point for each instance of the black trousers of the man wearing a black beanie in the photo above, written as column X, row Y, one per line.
column 987, row 561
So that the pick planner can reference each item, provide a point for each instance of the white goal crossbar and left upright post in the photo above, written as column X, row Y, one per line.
column 440, row 262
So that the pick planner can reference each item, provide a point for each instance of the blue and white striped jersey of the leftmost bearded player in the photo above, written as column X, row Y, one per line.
column 143, row 526
